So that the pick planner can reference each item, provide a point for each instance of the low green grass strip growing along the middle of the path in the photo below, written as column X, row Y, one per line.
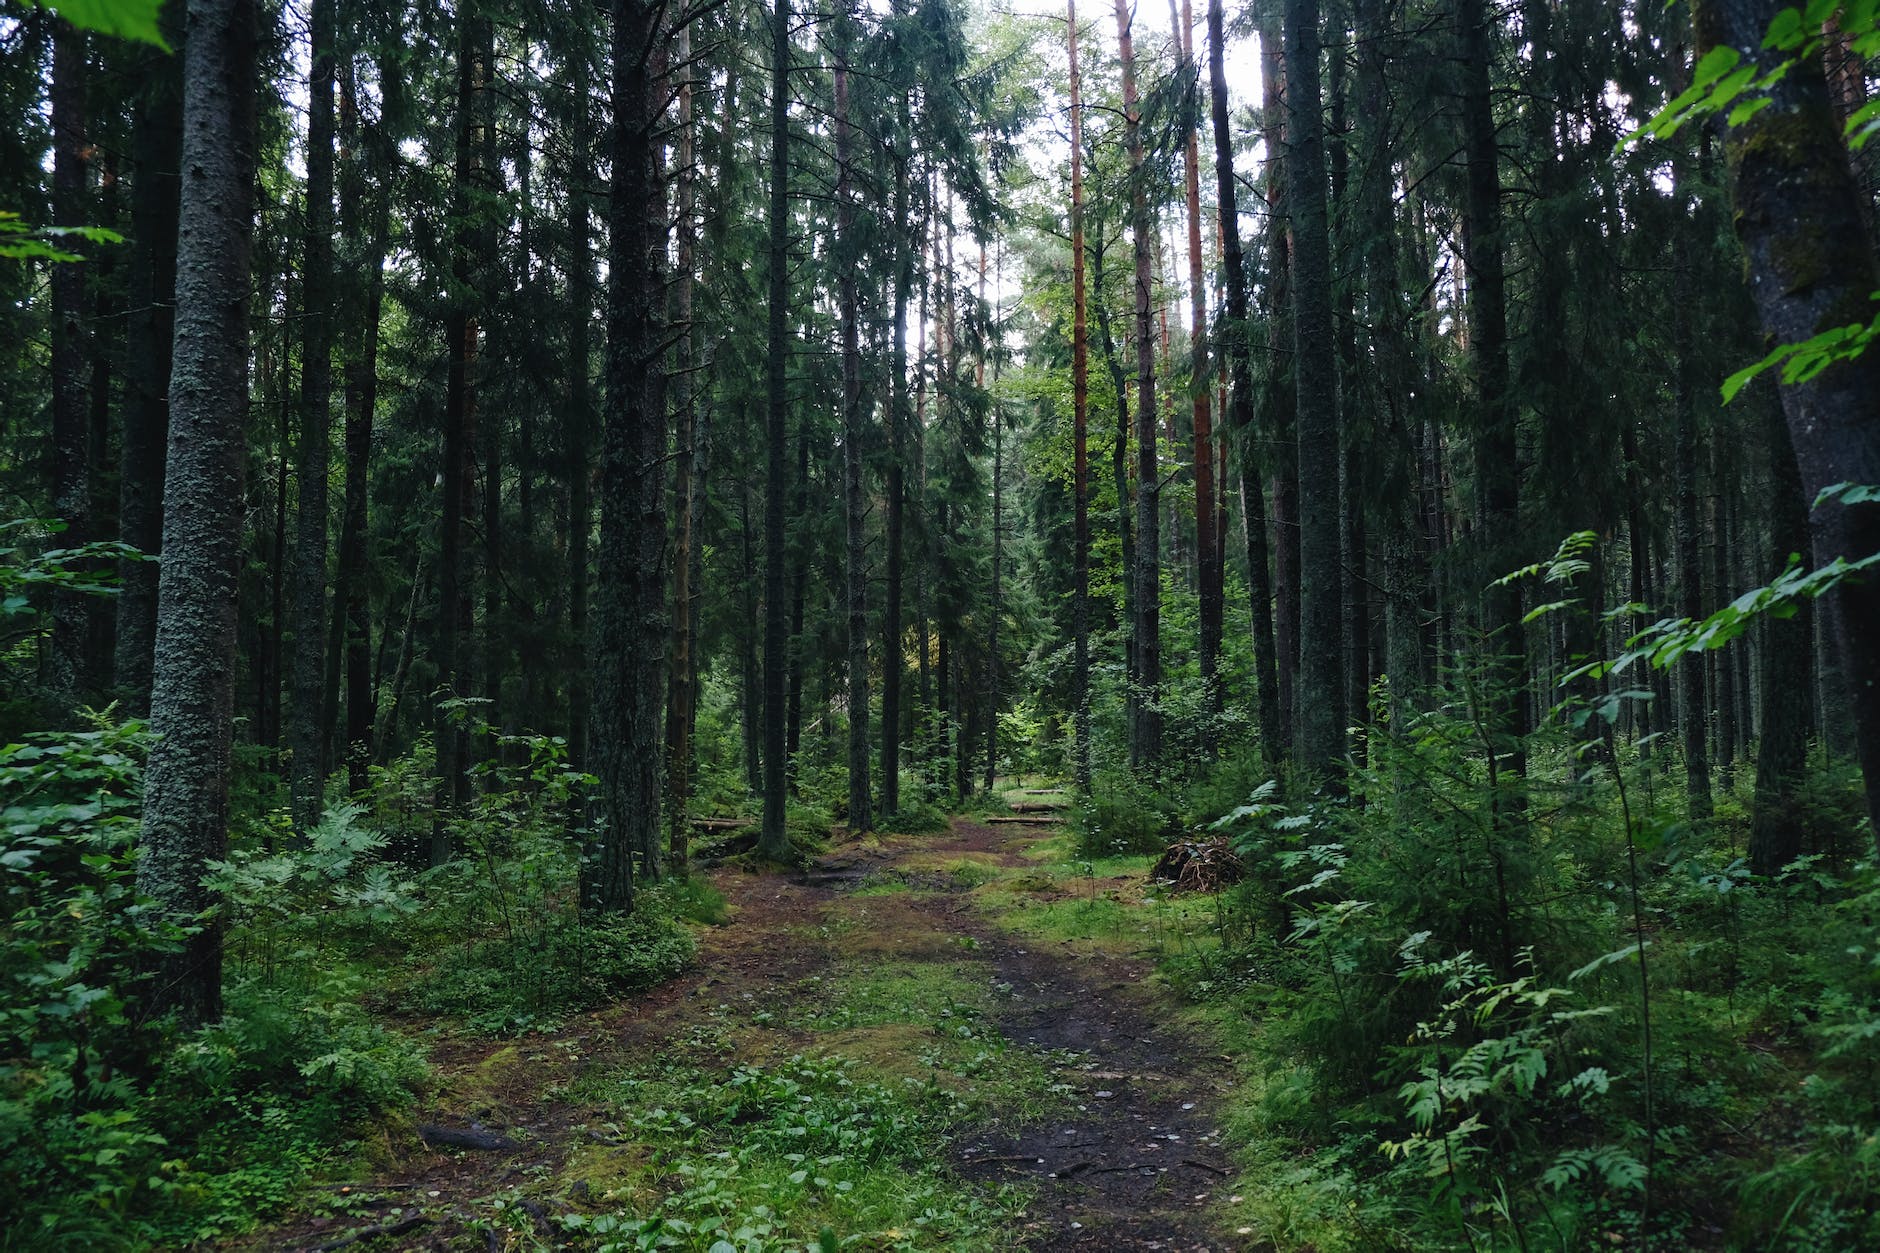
column 821, row 1117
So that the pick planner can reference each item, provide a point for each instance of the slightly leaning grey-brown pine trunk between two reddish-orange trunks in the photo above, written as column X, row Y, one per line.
column 1146, row 729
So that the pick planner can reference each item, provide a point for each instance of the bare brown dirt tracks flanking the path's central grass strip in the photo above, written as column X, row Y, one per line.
column 1133, row 1164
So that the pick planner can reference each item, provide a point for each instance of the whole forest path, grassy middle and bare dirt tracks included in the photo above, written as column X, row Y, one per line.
column 977, row 991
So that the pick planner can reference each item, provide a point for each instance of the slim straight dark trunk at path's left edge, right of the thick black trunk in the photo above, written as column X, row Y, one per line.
column 775, row 840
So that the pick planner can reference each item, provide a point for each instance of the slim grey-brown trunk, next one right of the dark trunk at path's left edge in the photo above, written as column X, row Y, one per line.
column 854, row 505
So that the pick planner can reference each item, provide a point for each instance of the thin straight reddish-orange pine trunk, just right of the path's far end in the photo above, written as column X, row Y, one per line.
column 1080, row 390
